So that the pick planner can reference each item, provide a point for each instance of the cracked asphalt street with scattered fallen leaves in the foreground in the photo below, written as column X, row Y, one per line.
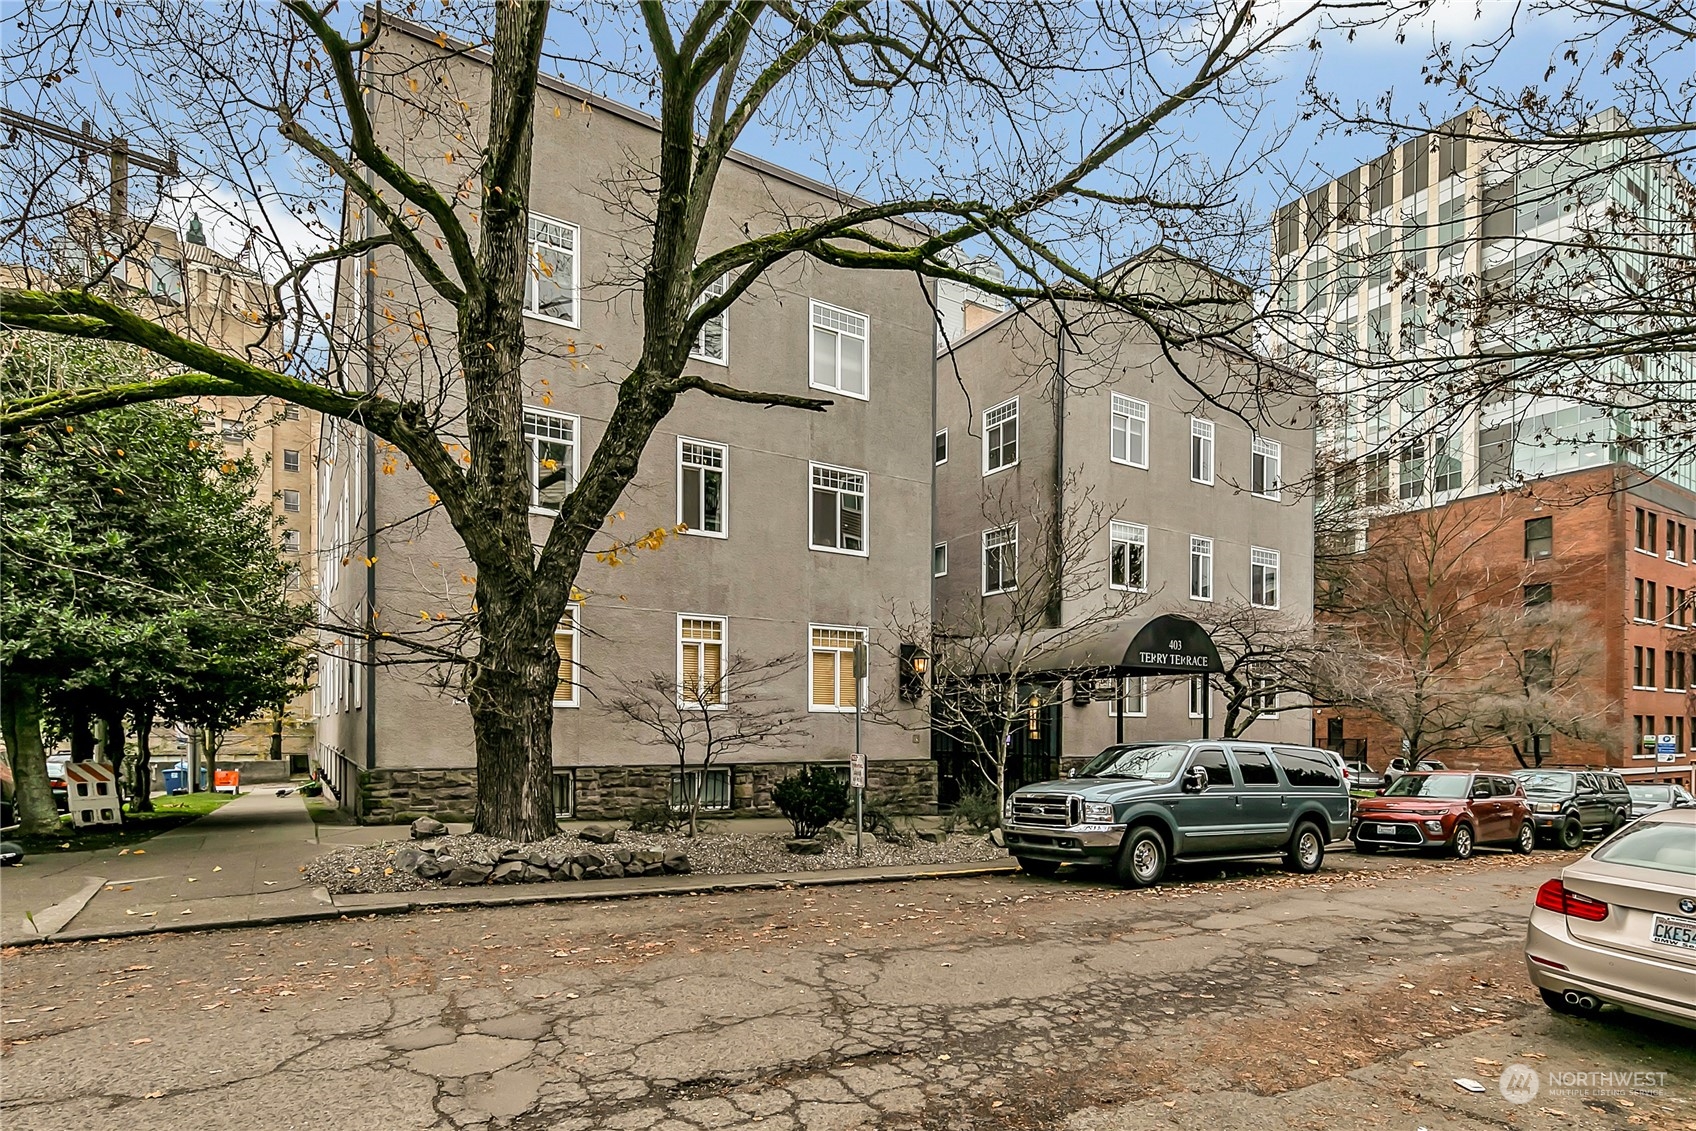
column 1230, row 996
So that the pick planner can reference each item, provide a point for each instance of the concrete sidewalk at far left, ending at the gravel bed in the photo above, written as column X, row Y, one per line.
column 240, row 864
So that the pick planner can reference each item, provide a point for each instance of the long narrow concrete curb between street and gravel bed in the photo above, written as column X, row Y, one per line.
column 406, row 903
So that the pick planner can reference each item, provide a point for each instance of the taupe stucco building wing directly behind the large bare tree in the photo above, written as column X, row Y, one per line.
column 801, row 526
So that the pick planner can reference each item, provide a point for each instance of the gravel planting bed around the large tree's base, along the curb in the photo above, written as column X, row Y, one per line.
column 371, row 867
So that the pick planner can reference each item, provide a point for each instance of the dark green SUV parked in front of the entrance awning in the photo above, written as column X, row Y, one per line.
column 1141, row 806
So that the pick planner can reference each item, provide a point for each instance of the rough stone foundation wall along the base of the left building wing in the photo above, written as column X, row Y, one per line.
column 613, row 793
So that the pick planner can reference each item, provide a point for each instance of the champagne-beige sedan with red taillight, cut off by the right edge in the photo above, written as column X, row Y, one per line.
column 1619, row 928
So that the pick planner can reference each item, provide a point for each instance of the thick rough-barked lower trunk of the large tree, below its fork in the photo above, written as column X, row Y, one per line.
column 511, row 699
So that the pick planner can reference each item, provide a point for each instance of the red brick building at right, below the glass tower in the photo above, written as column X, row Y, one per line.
column 1624, row 549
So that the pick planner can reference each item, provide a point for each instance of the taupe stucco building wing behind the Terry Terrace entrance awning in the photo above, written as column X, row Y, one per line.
column 1176, row 499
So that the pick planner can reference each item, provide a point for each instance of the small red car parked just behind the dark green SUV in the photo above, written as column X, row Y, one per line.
column 1449, row 811
